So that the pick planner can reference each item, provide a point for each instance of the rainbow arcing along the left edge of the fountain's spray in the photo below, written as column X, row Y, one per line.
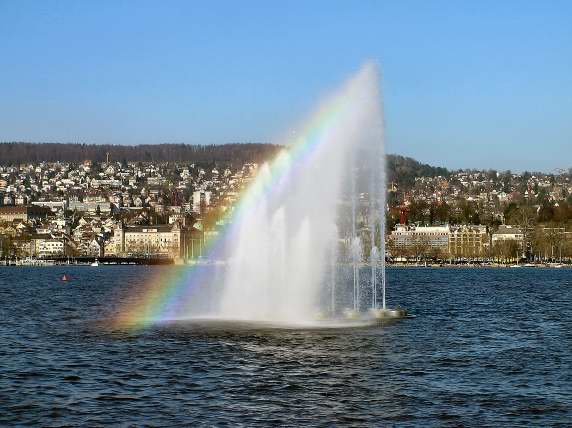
column 160, row 299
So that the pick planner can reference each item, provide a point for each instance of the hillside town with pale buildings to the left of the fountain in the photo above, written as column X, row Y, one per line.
column 113, row 210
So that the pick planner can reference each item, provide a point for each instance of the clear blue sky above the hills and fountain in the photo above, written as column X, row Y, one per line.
column 484, row 84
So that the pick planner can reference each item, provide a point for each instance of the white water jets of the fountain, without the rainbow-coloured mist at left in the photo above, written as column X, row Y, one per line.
column 281, row 252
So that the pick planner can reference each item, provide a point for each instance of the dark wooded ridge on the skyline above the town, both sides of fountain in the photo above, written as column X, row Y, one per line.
column 401, row 170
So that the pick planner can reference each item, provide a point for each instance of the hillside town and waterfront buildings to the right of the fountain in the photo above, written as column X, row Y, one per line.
column 483, row 215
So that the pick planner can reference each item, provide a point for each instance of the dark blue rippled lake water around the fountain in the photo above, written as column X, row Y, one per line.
column 489, row 347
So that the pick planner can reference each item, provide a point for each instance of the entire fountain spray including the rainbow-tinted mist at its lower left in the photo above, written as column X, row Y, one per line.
column 279, row 248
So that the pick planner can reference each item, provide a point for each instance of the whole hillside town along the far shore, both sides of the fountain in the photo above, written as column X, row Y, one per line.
column 120, row 211
